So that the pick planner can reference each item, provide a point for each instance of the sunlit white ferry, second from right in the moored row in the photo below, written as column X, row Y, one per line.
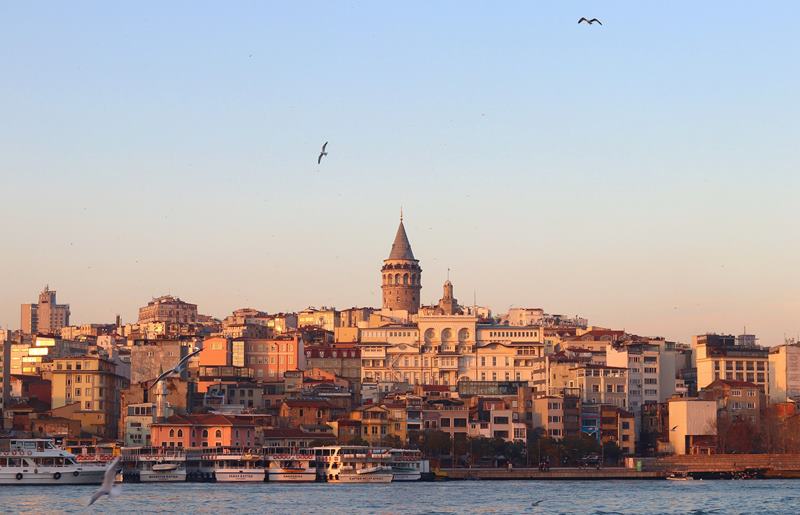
column 353, row 464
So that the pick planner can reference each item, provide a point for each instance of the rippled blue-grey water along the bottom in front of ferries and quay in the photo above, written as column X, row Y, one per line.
column 600, row 497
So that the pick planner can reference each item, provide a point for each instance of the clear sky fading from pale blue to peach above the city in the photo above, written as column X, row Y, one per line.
column 642, row 173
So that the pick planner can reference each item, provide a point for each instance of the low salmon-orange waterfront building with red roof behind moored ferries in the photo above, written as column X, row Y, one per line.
column 203, row 431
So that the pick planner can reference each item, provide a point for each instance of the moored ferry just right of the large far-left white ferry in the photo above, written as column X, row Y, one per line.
column 154, row 464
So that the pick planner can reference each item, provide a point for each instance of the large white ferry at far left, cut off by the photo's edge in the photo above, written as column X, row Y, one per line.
column 40, row 462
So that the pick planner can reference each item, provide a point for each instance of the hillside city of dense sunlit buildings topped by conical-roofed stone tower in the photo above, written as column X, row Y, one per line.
column 466, row 386
